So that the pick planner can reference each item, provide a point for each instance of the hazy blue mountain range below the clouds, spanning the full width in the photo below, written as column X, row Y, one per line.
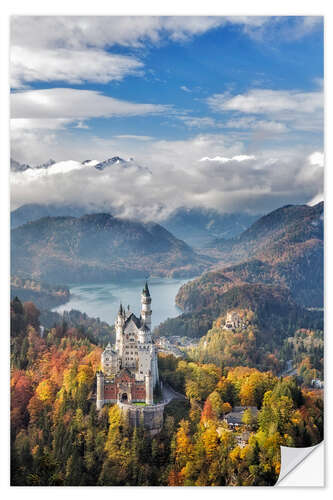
column 59, row 244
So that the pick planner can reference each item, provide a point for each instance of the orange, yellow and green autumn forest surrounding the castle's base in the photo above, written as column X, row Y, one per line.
column 59, row 438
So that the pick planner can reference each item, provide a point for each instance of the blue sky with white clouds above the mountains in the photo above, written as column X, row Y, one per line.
column 177, row 91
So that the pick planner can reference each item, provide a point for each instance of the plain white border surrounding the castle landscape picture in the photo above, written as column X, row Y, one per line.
column 142, row 7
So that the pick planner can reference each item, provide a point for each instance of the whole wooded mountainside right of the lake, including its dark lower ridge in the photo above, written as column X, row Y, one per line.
column 278, row 271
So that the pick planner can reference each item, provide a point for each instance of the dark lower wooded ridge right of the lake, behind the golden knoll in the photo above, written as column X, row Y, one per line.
column 277, row 314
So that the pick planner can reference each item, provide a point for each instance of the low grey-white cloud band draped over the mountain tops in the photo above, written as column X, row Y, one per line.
column 251, row 183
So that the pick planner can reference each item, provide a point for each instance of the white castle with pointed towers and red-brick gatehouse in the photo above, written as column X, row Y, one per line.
column 130, row 370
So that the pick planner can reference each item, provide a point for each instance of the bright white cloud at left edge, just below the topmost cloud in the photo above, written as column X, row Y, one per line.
column 74, row 66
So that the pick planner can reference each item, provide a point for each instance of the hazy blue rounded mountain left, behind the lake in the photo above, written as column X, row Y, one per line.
column 97, row 248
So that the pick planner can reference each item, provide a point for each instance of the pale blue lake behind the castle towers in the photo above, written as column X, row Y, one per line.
column 102, row 300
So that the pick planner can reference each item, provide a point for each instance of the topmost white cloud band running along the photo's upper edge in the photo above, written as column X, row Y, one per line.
column 135, row 31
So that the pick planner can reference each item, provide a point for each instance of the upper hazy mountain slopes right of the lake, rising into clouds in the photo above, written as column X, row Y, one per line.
column 283, row 248
